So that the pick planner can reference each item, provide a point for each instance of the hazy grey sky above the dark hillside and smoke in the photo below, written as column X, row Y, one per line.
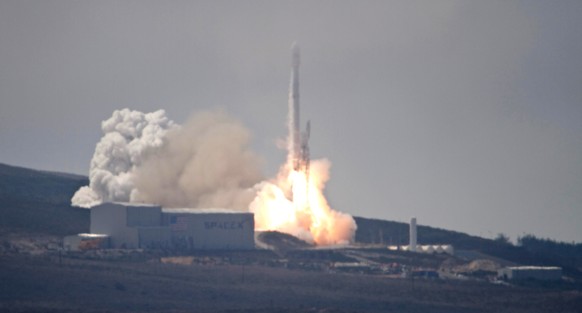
column 465, row 114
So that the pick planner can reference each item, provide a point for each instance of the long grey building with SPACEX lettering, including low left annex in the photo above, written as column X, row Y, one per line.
column 131, row 226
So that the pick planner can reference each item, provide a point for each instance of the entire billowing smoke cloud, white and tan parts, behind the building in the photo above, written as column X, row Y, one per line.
column 148, row 158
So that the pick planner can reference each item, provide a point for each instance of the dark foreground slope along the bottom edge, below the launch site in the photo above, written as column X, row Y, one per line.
column 141, row 283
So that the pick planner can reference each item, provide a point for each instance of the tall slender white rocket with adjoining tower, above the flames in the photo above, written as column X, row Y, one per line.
column 298, row 142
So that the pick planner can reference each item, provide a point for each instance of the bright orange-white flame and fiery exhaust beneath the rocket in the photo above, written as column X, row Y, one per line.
column 308, row 215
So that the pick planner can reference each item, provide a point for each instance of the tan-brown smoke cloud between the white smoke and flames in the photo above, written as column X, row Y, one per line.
column 205, row 163
